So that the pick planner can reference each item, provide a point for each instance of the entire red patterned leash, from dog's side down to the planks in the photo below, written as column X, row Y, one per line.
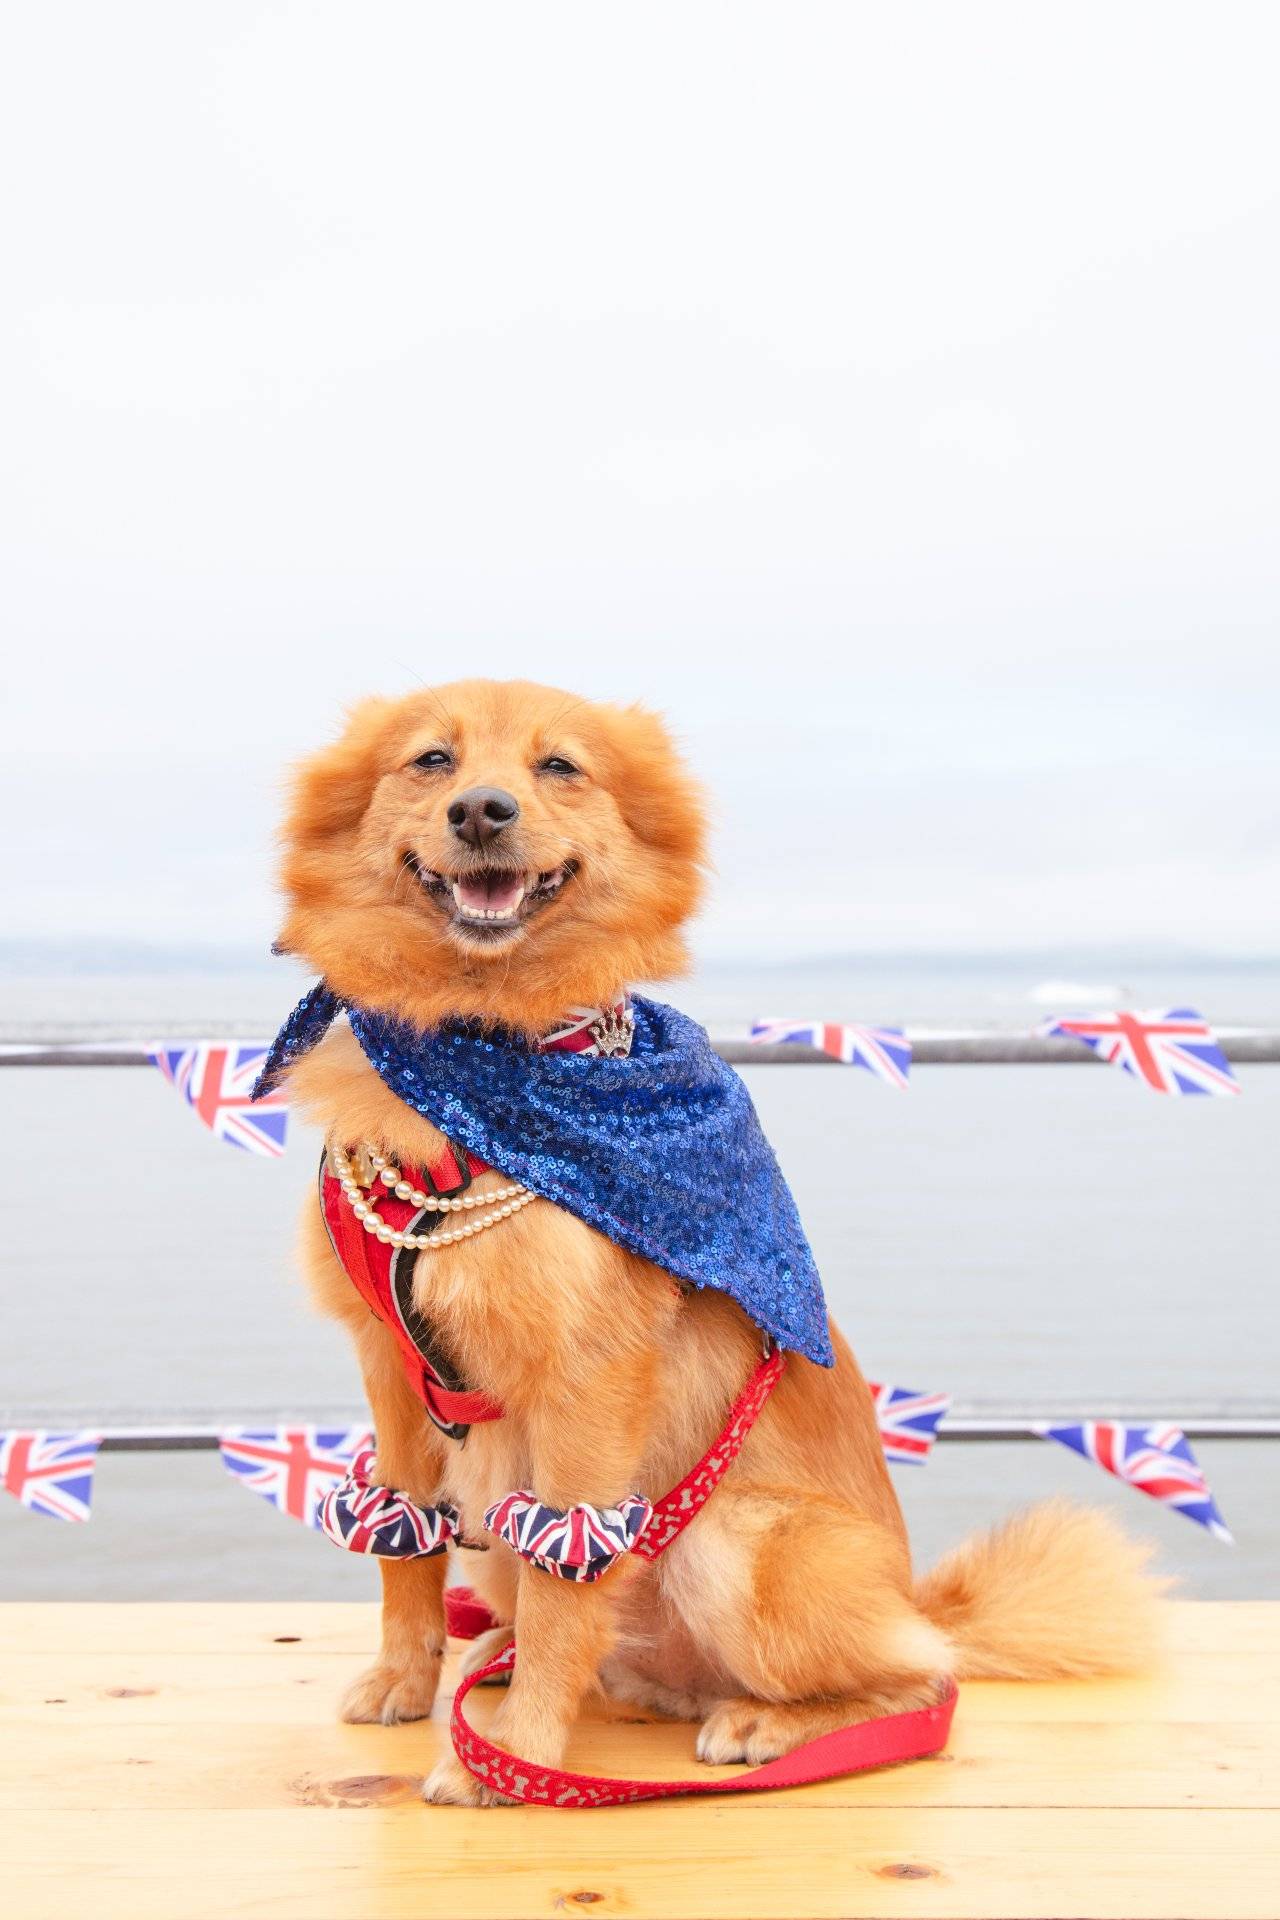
column 849, row 1750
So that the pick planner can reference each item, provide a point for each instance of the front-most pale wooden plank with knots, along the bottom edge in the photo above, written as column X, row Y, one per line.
column 811, row 1863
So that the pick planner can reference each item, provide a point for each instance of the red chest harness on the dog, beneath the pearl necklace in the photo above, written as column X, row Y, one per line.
column 383, row 1276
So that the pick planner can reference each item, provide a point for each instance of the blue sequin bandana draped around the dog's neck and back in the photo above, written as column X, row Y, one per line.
column 661, row 1151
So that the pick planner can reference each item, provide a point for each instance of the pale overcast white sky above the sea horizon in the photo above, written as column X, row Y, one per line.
column 889, row 395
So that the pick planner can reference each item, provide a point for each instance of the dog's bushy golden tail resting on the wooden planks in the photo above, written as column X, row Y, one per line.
column 1056, row 1593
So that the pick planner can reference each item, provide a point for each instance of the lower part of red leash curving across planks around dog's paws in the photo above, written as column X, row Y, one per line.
column 851, row 1750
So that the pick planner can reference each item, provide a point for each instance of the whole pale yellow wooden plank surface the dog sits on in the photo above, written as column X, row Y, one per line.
column 185, row 1764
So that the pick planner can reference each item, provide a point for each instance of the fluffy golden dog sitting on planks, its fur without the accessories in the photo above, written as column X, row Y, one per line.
column 506, row 852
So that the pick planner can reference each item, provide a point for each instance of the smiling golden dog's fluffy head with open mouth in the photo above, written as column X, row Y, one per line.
column 492, row 850
